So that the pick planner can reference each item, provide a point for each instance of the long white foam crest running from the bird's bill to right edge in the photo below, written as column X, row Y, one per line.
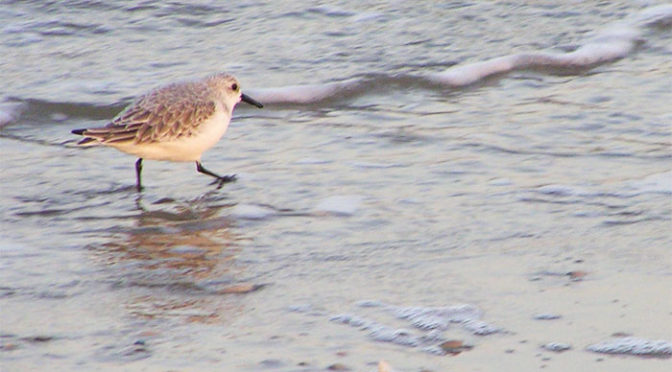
column 613, row 42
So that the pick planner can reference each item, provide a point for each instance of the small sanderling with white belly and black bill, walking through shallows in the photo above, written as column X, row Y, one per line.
column 176, row 122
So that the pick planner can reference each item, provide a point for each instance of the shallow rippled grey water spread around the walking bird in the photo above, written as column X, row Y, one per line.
column 530, row 192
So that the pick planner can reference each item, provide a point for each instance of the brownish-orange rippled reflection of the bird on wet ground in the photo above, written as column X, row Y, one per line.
column 177, row 262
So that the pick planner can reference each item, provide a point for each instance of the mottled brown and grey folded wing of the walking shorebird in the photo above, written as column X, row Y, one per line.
column 171, row 112
